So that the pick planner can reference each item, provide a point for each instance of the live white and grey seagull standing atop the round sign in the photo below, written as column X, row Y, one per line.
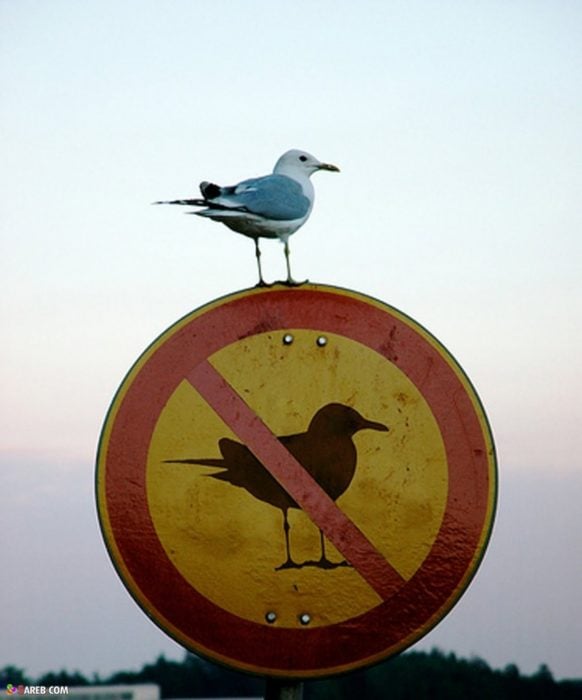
column 272, row 206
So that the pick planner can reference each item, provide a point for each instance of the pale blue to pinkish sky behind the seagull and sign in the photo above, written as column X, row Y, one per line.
column 457, row 129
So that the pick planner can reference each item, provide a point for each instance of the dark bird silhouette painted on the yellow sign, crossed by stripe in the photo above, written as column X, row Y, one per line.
column 326, row 451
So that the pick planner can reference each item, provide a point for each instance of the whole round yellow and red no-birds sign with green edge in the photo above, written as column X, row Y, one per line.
column 296, row 482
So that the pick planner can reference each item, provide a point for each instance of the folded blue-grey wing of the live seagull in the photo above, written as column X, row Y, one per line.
column 274, row 197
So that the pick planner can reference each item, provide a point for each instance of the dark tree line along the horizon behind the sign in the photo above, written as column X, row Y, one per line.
column 410, row 676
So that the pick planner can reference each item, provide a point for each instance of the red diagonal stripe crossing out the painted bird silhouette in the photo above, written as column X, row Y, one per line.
column 298, row 483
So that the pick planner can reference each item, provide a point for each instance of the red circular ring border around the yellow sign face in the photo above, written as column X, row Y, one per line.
column 374, row 635
